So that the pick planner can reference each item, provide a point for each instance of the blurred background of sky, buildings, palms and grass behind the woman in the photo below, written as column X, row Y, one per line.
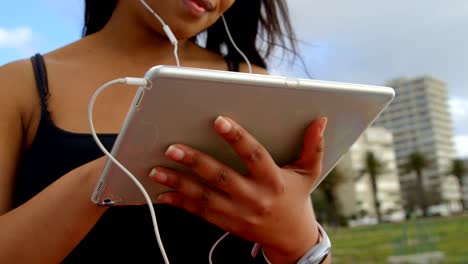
column 400, row 193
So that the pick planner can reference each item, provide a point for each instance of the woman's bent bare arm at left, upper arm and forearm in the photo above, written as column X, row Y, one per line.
column 42, row 230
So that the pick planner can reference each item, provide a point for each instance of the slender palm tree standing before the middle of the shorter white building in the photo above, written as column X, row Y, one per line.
column 373, row 167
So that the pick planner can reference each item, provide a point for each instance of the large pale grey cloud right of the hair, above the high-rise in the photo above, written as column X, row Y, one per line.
column 373, row 41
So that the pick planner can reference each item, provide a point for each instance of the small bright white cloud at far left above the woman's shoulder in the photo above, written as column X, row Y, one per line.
column 18, row 38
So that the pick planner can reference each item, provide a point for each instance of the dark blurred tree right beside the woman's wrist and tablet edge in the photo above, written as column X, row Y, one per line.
column 329, row 201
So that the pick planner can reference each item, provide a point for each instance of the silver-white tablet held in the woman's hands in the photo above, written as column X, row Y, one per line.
column 182, row 104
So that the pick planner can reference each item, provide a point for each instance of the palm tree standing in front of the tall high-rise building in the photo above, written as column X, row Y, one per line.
column 416, row 163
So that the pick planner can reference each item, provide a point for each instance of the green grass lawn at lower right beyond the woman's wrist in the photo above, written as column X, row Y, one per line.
column 373, row 244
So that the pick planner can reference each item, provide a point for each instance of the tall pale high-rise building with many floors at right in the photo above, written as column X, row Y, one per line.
column 420, row 122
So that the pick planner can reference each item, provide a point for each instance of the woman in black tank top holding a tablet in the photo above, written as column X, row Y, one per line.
column 50, row 163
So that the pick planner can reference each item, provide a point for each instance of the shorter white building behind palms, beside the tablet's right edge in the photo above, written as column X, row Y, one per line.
column 355, row 197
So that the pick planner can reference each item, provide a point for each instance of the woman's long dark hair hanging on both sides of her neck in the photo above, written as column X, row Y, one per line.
column 257, row 26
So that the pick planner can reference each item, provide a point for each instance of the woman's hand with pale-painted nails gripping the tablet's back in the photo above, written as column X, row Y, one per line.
column 270, row 205
